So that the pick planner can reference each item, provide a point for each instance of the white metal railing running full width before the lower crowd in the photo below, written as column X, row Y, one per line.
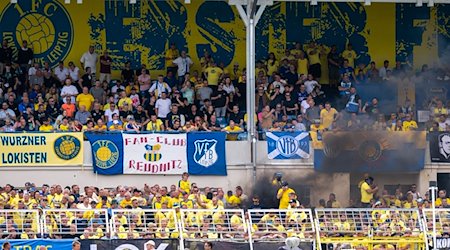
column 233, row 228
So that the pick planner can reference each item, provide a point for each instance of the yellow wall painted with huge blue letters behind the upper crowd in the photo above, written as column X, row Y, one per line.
column 142, row 32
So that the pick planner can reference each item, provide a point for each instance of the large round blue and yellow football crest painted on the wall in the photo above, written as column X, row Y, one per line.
column 45, row 25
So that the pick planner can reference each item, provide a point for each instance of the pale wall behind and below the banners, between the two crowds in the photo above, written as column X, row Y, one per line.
column 299, row 173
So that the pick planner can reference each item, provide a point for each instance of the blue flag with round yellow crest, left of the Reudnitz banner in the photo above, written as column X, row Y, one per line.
column 107, row 152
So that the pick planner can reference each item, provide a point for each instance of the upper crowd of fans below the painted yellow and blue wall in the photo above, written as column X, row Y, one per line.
column 289, row 96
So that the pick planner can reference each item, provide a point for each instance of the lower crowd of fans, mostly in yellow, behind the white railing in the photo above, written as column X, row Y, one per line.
column 83, row 222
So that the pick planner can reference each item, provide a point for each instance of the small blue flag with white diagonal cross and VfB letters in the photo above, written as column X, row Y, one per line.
column 287, row 145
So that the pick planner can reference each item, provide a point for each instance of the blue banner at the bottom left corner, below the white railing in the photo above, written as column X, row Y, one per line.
column 36, row 244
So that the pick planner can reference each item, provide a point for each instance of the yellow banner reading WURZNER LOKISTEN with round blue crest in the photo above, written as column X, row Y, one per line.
column 41, row 149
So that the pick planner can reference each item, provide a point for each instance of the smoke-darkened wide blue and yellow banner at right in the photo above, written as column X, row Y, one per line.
column 370, row 151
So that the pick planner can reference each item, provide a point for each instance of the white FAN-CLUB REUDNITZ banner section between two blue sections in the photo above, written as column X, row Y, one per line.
column 154, row 153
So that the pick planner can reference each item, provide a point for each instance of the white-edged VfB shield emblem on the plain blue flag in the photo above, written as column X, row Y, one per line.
column 205, row 152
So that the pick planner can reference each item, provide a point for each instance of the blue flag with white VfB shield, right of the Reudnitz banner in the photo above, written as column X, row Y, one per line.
column 206, row 153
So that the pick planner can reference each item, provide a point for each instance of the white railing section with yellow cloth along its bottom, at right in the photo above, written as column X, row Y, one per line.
column 370, row 228
